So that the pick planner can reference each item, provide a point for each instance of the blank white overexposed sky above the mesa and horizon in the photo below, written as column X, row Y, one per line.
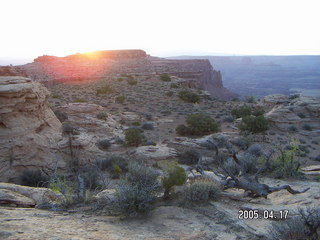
column 30, row 28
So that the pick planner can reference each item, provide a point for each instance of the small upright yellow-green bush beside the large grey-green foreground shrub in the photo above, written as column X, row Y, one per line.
column 174, row 176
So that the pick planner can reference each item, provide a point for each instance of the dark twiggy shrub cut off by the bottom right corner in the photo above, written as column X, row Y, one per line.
column 304, row 226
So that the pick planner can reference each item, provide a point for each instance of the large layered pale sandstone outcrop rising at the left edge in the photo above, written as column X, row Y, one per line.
column 29, row 129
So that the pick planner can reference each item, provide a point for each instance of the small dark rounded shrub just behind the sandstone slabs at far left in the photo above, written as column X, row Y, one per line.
column 33, row 178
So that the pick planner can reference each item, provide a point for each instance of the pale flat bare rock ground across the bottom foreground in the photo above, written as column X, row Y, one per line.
column 215, row 220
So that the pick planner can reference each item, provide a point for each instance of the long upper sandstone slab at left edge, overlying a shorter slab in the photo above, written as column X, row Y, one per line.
column 38, row 195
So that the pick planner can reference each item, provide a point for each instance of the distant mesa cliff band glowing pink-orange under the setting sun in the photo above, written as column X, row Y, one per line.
column 99, row 64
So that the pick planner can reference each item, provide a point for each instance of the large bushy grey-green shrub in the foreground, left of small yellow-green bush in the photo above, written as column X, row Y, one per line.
column 136, row 192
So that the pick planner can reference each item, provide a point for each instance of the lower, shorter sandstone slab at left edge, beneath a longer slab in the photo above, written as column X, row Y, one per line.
column 8, row 197
